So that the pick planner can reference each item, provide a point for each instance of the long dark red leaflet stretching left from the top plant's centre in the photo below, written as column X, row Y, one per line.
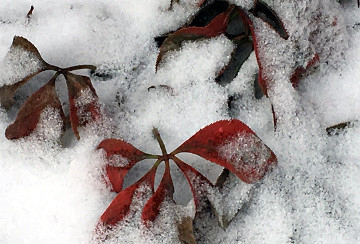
column 215, row 28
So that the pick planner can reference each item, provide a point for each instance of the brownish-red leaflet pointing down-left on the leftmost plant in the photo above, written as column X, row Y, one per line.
column 29, row 114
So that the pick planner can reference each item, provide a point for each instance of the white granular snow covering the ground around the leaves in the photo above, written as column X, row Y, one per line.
column 56, row 194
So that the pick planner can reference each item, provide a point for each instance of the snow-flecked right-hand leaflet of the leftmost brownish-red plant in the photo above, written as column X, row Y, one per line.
column 84, row 102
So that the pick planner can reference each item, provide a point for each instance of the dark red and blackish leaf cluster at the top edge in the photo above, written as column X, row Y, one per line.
column 218, row 17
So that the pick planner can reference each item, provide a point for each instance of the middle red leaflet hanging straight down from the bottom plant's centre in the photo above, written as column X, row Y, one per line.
column 164, row 192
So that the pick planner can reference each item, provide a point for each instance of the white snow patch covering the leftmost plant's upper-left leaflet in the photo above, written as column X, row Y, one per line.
column 17, row 64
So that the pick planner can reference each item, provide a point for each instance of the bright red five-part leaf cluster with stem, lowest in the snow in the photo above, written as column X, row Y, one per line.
column 228, row 143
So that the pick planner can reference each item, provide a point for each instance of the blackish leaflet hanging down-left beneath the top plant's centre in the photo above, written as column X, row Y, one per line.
column 241, row 53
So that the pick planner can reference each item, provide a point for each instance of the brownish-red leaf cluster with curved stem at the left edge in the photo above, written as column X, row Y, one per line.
column 23, row 62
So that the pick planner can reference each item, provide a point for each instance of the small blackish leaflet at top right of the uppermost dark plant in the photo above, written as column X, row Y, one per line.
column 264, row 12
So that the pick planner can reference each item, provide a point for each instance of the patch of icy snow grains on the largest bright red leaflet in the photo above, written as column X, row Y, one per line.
column 245, row 152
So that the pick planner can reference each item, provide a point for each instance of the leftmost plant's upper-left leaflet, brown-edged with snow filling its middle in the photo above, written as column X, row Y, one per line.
column 21, row 63
